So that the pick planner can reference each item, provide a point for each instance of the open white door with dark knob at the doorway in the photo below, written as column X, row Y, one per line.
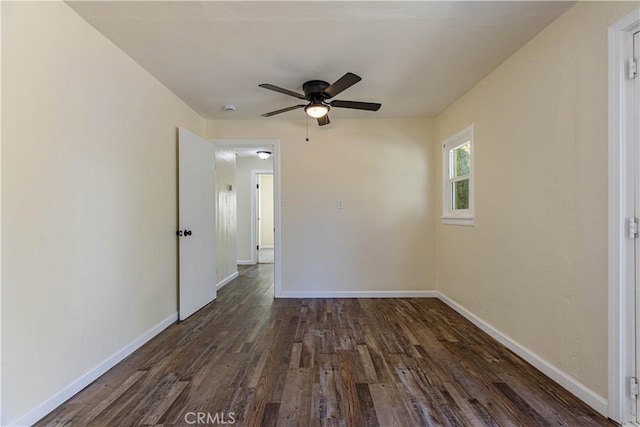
column 196, row 233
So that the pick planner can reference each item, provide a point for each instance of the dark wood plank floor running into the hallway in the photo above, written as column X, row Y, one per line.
column 257, row 361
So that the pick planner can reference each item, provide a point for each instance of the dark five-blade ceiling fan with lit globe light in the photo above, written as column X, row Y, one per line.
column 317, row 92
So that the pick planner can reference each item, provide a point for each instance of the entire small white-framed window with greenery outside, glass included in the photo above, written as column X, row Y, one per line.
column 457, row 179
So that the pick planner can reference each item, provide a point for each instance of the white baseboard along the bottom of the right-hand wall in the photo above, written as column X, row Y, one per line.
column 576, row 388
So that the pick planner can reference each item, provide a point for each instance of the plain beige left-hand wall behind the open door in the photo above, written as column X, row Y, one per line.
column 88, row 201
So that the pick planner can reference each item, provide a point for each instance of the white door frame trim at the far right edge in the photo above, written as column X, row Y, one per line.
column 619, row 144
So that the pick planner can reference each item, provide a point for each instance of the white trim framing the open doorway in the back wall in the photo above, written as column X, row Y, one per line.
column 277, row 205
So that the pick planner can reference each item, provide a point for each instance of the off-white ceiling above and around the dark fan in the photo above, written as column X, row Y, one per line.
column 415, row 58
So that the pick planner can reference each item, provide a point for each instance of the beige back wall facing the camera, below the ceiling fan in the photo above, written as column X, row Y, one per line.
column 383, row 170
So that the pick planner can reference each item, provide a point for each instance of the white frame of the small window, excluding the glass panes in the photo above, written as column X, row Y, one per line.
column 457, row 216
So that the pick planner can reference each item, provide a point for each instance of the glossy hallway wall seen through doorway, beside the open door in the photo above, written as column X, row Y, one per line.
column 226, row 213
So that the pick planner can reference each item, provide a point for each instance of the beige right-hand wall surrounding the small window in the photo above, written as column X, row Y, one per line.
column 535, row 264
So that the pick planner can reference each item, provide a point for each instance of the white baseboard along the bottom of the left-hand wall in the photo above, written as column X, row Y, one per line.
column 69, row 391
